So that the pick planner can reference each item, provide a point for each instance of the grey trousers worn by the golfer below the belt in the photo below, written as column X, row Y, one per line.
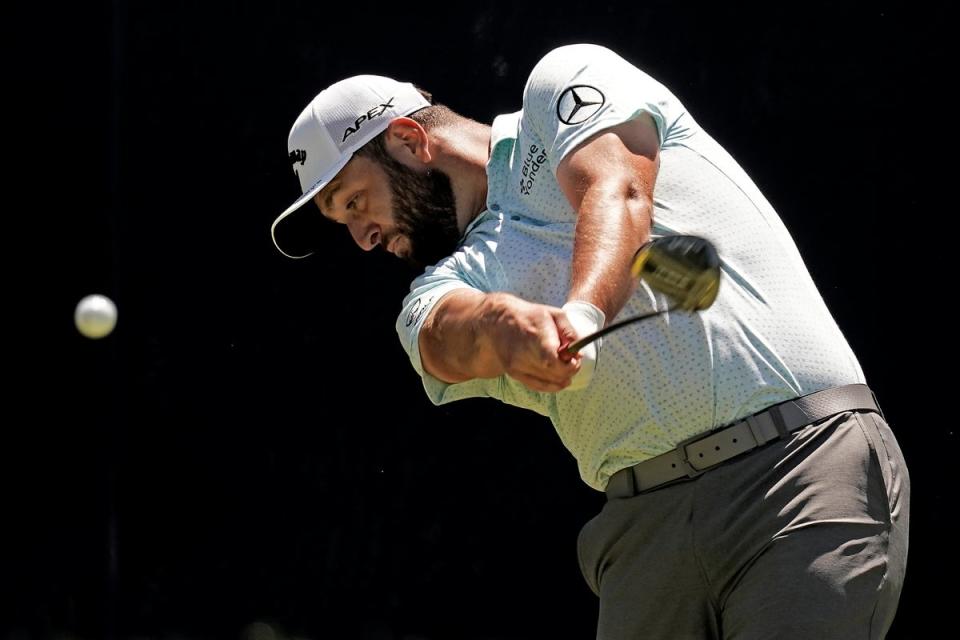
column 804, row 538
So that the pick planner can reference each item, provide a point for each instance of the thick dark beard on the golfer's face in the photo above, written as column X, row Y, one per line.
column 425, row 210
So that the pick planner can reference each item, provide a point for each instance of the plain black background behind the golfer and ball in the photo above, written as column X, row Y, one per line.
column 251, row 444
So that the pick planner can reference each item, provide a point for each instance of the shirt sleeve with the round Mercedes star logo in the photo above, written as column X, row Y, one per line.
column 579, row 90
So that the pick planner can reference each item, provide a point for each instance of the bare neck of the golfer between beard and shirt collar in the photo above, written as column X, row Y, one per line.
column 461, row 151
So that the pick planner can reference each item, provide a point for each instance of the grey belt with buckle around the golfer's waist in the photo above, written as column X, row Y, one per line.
column 705, row 450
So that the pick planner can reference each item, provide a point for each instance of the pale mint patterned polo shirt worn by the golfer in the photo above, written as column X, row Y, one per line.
column 768, row 337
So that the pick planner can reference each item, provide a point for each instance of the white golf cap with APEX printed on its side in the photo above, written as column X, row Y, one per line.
column 341, row 119
